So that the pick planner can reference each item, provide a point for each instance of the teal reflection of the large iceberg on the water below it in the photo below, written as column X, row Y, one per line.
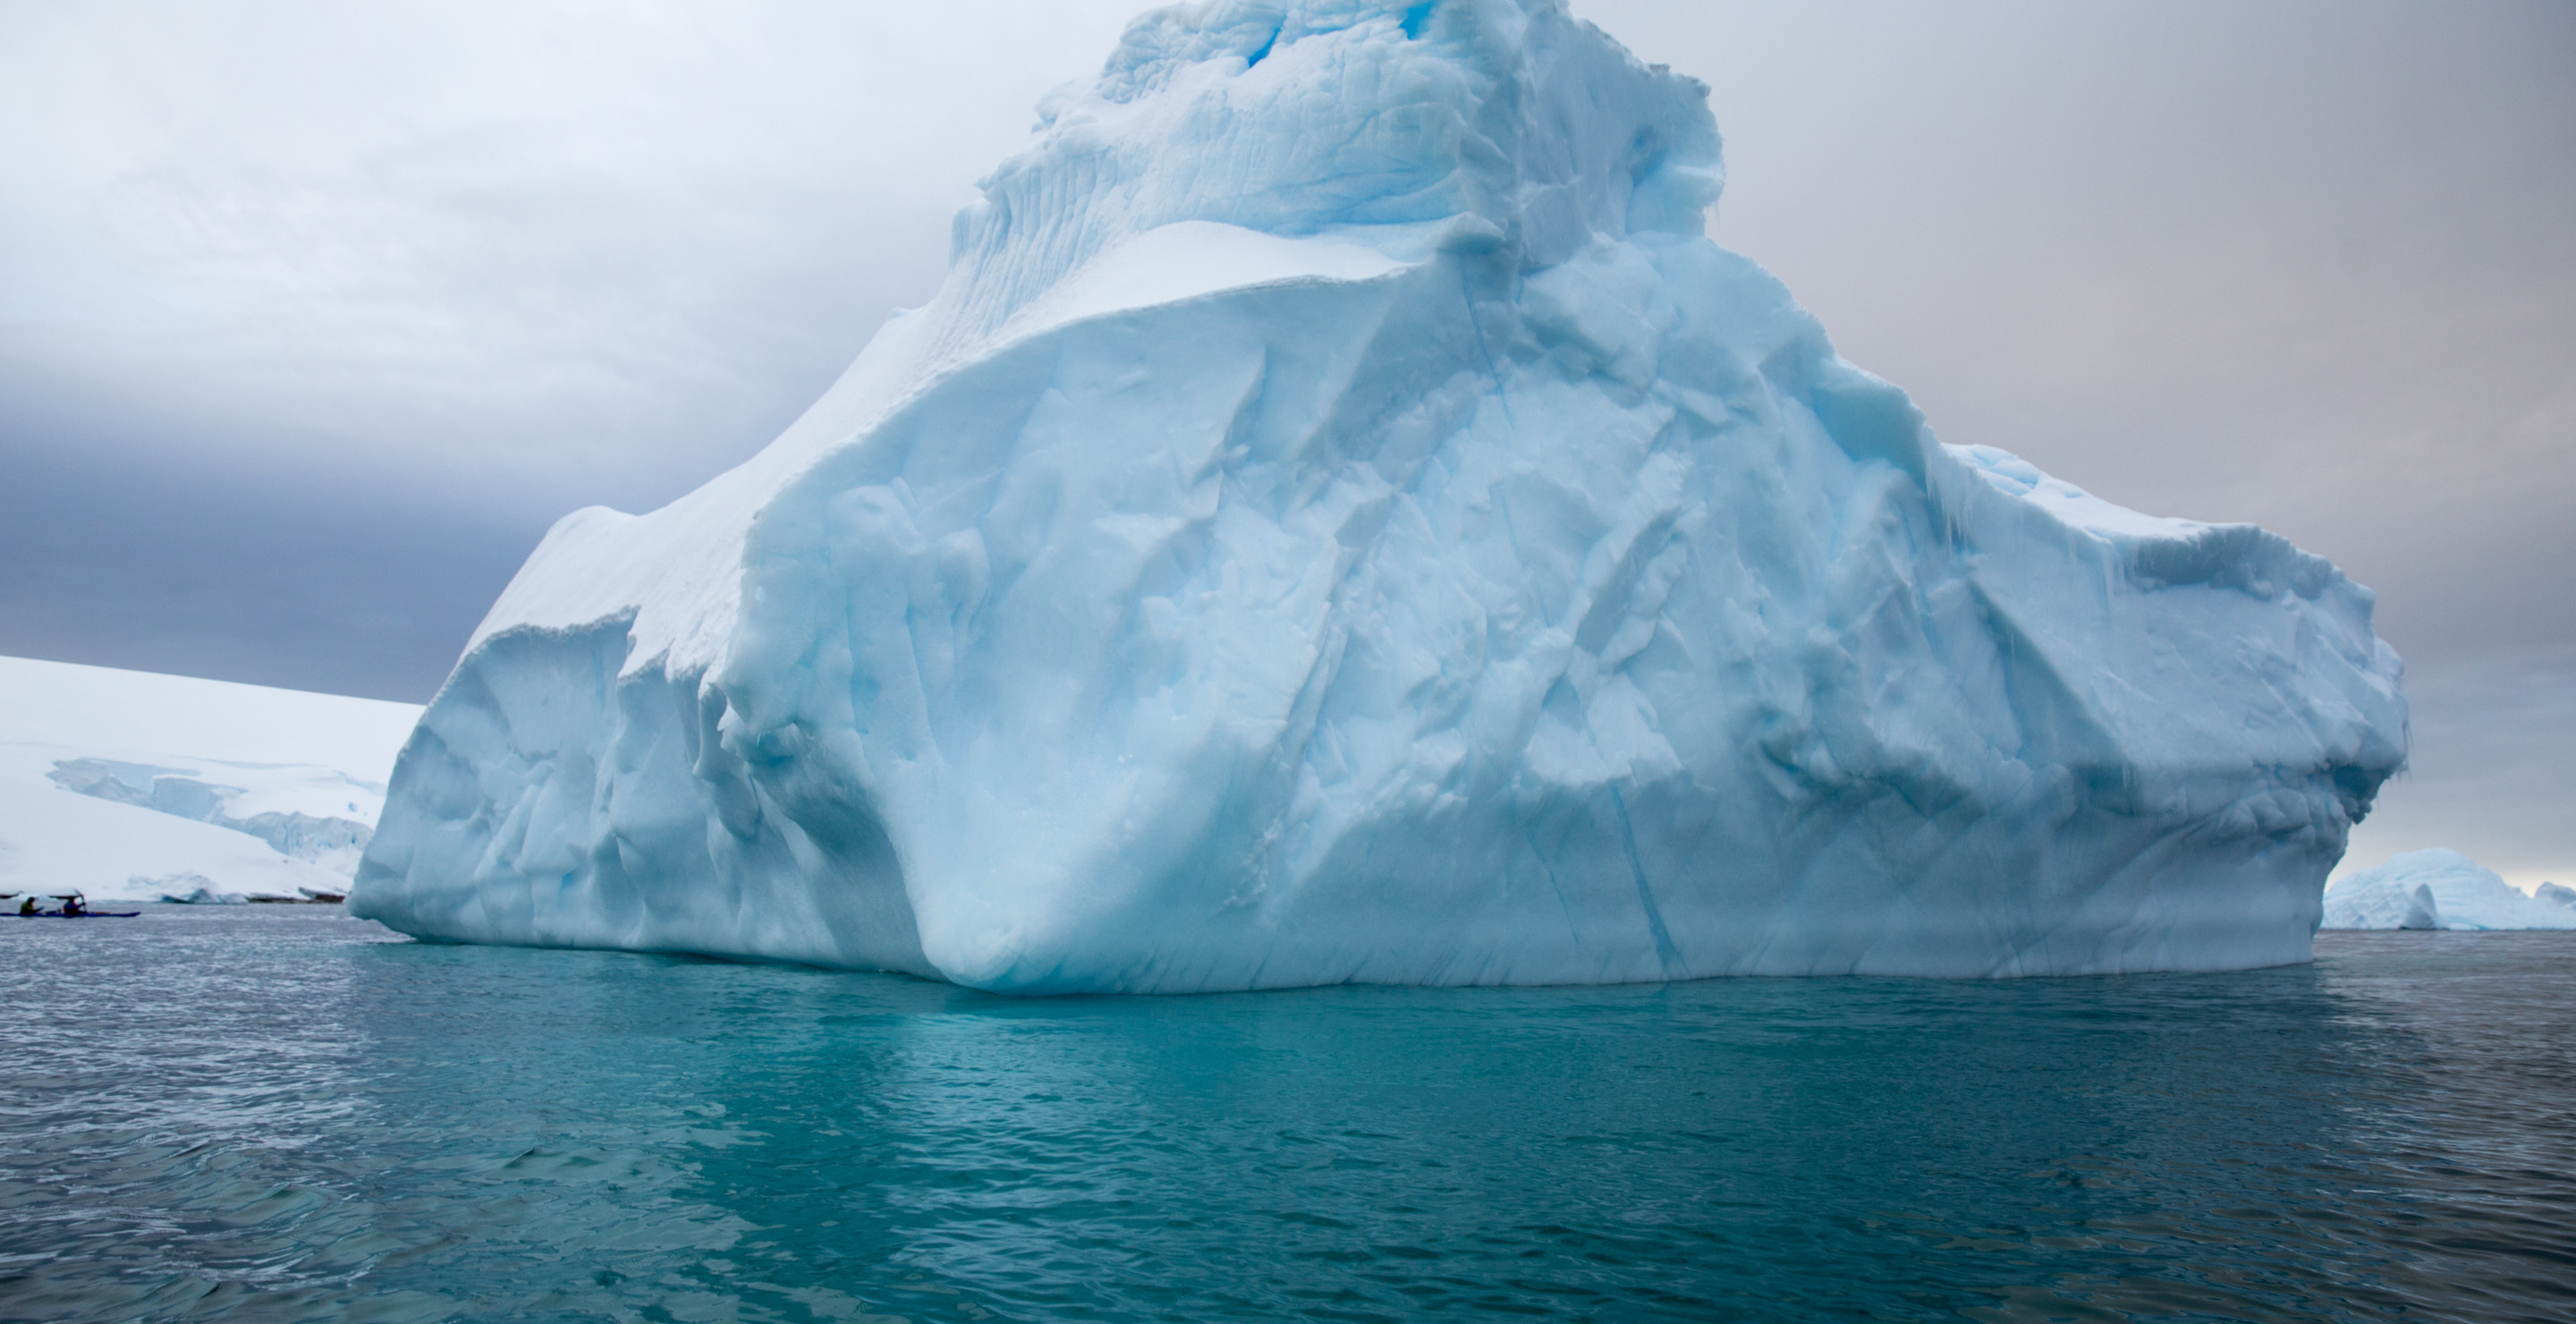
column 913, row 1148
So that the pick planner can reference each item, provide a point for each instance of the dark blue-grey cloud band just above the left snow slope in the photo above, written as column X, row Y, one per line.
column 339, row 581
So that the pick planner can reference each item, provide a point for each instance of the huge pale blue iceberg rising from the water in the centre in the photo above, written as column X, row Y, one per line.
column 1343, row 522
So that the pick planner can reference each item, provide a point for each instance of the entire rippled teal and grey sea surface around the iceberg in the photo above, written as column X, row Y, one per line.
column 287, row 1114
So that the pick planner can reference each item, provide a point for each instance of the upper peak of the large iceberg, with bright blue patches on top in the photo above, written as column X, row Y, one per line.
column 1400, row 128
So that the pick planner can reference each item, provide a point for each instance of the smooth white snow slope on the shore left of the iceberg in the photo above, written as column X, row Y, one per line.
column 120, row 782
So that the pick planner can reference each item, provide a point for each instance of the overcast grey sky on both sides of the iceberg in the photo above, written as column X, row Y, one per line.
column 316, row 316
